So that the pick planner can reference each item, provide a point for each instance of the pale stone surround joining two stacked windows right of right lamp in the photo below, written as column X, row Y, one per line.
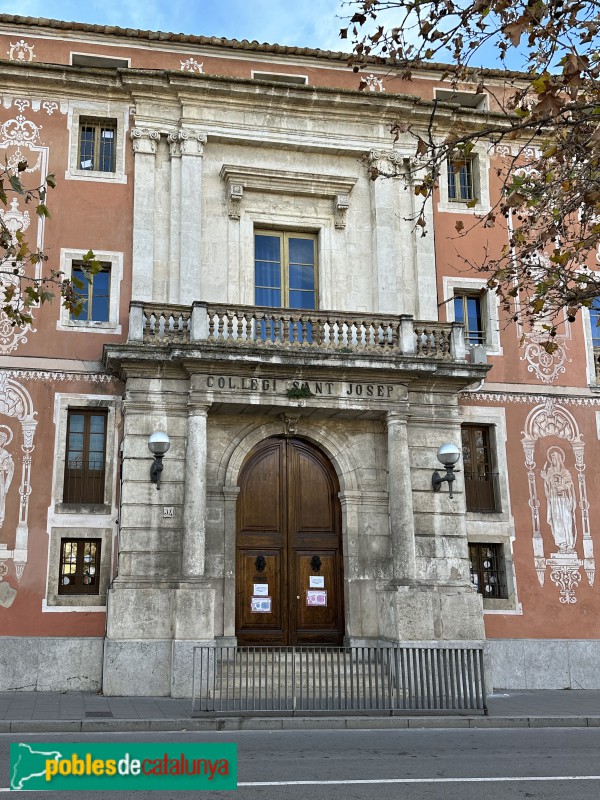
column 495, row 527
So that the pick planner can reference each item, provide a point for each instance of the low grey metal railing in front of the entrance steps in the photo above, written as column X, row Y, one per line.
column 338, row 679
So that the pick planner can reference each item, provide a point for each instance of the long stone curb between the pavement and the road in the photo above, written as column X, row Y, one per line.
column 289, row 723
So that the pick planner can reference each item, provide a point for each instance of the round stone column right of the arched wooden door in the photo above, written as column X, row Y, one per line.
column 402, row 525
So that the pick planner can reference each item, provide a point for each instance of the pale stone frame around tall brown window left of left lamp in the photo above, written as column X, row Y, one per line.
column 85, row 514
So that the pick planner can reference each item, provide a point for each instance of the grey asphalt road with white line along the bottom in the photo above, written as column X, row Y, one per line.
column 546, row 763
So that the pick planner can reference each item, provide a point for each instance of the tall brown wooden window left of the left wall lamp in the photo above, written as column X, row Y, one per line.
column 85, row 457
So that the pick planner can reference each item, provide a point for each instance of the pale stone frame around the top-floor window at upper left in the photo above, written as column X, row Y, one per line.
column 97, row 111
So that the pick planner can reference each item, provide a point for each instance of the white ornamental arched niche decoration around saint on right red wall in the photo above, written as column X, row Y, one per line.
column 567, row 507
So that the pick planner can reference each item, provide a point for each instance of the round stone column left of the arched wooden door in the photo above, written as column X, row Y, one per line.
column 194, row 508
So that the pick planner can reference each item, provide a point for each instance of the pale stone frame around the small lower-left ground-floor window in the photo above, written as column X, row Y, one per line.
column 78, row 602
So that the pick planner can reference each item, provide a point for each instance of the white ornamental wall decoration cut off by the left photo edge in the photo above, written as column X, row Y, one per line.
column 15, row 403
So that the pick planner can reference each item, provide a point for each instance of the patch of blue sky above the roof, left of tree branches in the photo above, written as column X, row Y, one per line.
column 307, row 23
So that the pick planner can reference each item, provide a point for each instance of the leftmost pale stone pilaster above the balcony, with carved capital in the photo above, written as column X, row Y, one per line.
column 145, row 143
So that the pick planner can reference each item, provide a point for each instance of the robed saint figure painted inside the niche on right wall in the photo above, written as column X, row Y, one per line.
column 560, row 500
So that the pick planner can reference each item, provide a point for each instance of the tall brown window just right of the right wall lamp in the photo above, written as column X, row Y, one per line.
column 480, row 480
